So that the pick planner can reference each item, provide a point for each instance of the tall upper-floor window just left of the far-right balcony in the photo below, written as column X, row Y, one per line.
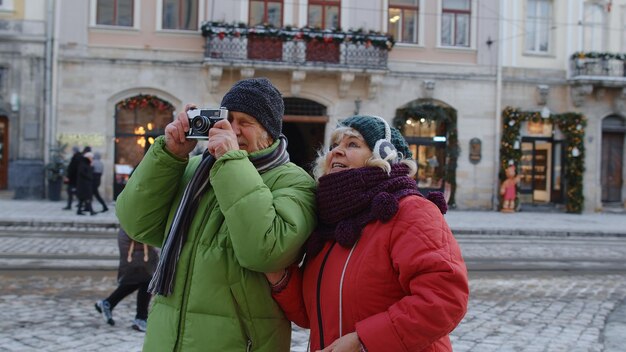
column 538, row 23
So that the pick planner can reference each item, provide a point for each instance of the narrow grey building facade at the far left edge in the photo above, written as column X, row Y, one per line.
column 23, row 139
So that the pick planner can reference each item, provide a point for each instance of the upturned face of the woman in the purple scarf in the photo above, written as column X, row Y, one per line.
column 347, row 153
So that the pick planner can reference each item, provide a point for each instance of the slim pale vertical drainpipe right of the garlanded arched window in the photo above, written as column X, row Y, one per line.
column 498, row 117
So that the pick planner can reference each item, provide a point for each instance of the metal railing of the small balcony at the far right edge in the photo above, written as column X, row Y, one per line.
column 600, row 65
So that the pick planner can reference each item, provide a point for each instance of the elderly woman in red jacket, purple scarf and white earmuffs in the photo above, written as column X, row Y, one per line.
column 382, row 271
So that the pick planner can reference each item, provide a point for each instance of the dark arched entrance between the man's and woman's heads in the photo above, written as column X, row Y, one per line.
column 304, row 124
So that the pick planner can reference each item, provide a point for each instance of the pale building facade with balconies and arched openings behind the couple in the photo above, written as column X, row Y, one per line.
column 451, row 74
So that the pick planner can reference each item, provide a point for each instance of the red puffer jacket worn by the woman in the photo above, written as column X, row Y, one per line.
column 404, row 288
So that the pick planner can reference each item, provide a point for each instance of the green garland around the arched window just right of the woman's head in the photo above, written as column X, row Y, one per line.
column 438, row 114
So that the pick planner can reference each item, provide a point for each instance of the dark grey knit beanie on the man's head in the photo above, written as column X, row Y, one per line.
column 258, row 98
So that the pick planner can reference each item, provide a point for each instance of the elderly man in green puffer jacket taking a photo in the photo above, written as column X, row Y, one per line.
column 222, row 219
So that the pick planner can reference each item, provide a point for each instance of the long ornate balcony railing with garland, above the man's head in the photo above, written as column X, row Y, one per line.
column 296, row 47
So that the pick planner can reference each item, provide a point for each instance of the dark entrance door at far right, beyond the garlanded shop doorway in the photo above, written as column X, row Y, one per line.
column 612, row 164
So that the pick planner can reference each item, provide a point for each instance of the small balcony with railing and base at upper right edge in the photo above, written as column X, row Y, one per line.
column 598, row 69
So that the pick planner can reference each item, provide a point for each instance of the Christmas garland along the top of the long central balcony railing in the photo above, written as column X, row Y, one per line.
column 223, row 30
